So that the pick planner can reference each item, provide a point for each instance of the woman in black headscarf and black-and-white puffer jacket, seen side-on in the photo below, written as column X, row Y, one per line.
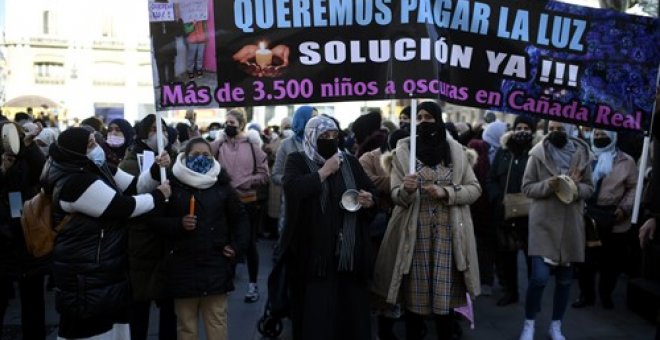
column 90, row 251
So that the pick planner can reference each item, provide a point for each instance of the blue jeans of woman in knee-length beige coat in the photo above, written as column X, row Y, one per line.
column 537, row 282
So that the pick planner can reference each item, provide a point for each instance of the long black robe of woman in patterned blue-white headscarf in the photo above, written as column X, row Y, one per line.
column 326, row 304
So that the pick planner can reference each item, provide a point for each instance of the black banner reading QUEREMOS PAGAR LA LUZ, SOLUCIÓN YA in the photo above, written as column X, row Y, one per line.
column 543, row 58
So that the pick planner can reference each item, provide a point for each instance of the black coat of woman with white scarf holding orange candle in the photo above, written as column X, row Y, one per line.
column 195, row 265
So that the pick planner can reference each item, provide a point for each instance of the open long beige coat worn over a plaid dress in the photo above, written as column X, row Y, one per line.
column 396, row 252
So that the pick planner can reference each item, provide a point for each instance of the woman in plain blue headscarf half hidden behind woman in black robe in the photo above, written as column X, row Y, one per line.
column 290, row 145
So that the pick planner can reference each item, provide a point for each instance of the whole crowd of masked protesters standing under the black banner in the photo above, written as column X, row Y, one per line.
column 357, row 232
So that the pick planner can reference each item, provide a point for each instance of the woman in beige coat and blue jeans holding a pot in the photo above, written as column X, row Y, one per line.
column 556, row 222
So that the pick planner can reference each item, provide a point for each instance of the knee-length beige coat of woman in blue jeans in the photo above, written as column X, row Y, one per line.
column 556, row 230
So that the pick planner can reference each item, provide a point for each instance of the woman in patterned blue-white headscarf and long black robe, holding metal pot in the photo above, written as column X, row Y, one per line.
column 325, row 246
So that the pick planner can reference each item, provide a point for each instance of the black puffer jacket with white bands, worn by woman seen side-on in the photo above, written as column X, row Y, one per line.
column 89, row 255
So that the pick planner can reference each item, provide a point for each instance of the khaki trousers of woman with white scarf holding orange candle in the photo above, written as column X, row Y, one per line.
column 214, row 313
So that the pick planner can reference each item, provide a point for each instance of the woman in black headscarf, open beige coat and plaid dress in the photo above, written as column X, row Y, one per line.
column 428, row 254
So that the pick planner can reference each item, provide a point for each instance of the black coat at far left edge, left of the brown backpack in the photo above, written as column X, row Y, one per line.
column 22, row 177
